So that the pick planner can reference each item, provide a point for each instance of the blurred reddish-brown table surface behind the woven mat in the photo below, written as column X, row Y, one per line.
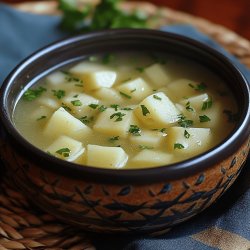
column 229, row 13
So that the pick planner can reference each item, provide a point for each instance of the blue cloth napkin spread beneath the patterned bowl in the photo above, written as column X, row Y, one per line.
column 225, row 225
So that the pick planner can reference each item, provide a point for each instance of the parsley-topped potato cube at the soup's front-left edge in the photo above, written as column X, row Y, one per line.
column 66, row 148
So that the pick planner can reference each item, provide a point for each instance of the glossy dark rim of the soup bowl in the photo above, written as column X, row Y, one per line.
column 172, row 171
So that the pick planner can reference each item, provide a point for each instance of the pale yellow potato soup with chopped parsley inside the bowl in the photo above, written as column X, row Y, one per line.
column 128, row 110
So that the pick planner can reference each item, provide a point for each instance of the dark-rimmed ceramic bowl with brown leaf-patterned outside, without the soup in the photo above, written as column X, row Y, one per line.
column 112, row 201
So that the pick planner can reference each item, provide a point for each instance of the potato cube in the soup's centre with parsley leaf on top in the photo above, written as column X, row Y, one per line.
column 111, row 122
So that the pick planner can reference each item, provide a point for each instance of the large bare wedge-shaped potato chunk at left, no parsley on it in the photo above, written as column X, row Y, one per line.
column 63, row 123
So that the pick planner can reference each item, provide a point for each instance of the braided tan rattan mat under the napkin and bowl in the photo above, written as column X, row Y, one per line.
column 23, row 226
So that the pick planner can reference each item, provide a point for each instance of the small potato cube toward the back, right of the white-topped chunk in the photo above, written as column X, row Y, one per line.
column 137, row 88
